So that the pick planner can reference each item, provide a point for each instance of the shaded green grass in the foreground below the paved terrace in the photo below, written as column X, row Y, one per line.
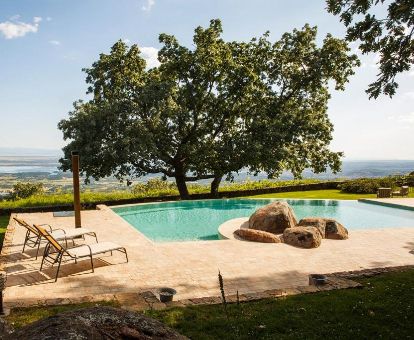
column 382, row 309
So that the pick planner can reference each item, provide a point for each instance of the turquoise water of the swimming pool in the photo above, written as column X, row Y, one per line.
column 199, row 220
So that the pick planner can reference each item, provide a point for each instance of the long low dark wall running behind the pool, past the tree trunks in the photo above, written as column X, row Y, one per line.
column 225, row 194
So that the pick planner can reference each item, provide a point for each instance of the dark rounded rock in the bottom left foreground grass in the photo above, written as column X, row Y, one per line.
column 96, row 323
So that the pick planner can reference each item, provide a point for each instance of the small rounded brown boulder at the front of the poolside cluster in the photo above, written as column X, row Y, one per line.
column 302, row 237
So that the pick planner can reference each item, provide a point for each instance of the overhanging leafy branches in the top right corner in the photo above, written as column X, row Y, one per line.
column 390, row 36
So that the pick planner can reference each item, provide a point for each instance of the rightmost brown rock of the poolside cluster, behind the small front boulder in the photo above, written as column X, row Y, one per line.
column 328, row 227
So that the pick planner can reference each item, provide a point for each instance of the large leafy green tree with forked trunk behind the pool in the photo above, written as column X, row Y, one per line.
column 210, row 111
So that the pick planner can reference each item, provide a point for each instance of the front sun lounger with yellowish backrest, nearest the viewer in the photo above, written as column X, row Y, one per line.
column 57, row 256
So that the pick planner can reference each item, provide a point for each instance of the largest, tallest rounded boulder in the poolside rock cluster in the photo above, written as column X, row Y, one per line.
column 273, row 218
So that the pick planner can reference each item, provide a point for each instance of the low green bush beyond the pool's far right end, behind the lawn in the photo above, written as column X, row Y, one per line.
column 368, row 185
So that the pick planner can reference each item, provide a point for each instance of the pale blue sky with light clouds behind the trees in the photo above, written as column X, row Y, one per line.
column 44, row 44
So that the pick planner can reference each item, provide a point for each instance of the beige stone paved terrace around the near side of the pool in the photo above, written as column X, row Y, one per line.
column 190, row 267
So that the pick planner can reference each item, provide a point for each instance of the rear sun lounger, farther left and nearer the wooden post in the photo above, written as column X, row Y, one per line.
column 35, row 241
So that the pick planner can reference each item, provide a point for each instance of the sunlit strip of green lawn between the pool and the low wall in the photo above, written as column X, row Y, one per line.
column 333, row 194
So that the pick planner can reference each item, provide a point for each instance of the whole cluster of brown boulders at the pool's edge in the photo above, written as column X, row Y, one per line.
column 268, row 222
